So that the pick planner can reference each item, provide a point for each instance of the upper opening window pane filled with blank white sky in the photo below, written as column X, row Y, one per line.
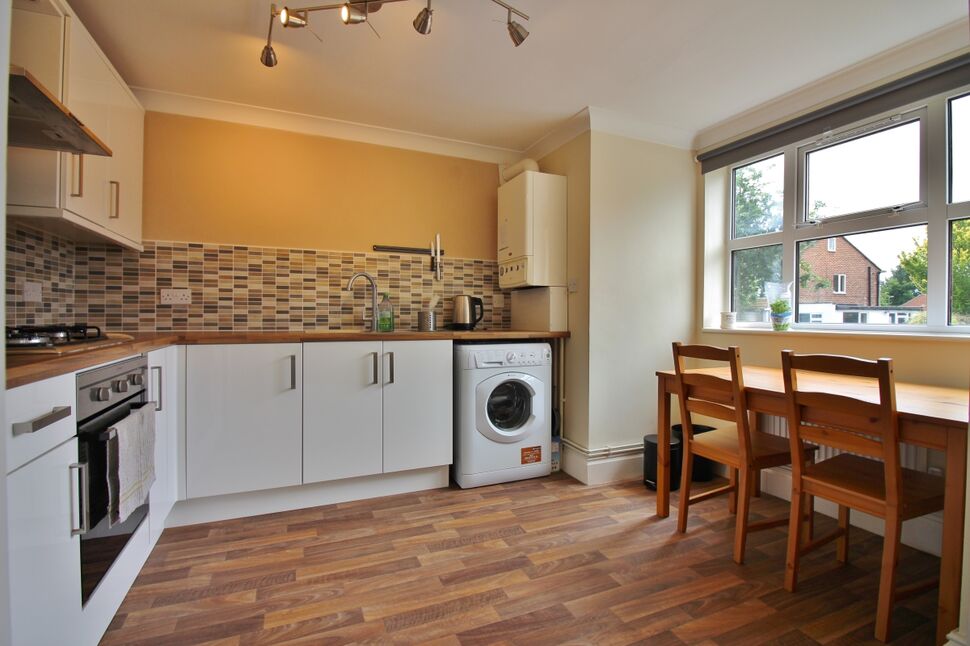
column 875, row 171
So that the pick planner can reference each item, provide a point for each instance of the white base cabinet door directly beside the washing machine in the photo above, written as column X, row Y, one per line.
column 418, row 394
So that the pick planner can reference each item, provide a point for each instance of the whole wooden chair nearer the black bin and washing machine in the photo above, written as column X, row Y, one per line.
column 743, row 451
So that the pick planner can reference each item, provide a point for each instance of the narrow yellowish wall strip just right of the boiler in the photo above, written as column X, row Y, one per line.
column 572, row 160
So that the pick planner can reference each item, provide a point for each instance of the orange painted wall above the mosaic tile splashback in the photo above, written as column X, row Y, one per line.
column 213, row 181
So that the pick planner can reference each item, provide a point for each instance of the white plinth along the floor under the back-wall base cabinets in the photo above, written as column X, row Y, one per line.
column 270, row 501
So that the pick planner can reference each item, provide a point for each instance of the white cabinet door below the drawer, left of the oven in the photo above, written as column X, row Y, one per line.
column 45, row 559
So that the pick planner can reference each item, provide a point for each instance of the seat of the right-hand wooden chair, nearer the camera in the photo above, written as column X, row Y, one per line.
column 860, row 483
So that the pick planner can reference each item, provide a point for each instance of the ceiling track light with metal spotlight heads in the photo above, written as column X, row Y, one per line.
column 355, row 12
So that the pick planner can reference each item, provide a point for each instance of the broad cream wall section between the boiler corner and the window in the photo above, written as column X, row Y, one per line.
column 642, row 233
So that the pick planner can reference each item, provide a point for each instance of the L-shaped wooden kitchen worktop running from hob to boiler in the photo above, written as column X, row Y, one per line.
column 27, row 368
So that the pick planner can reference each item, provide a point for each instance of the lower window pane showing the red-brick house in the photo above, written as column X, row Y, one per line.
column 873, row 278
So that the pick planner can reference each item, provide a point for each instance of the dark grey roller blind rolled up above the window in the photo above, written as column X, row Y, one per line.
column 933, row 80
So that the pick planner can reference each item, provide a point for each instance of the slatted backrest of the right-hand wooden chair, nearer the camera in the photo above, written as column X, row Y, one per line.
column 846, row 423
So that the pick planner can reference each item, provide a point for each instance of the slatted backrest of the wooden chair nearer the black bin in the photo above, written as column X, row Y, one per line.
column 712, row 396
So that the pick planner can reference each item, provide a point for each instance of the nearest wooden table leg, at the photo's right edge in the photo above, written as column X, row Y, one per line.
column 951, row 559
